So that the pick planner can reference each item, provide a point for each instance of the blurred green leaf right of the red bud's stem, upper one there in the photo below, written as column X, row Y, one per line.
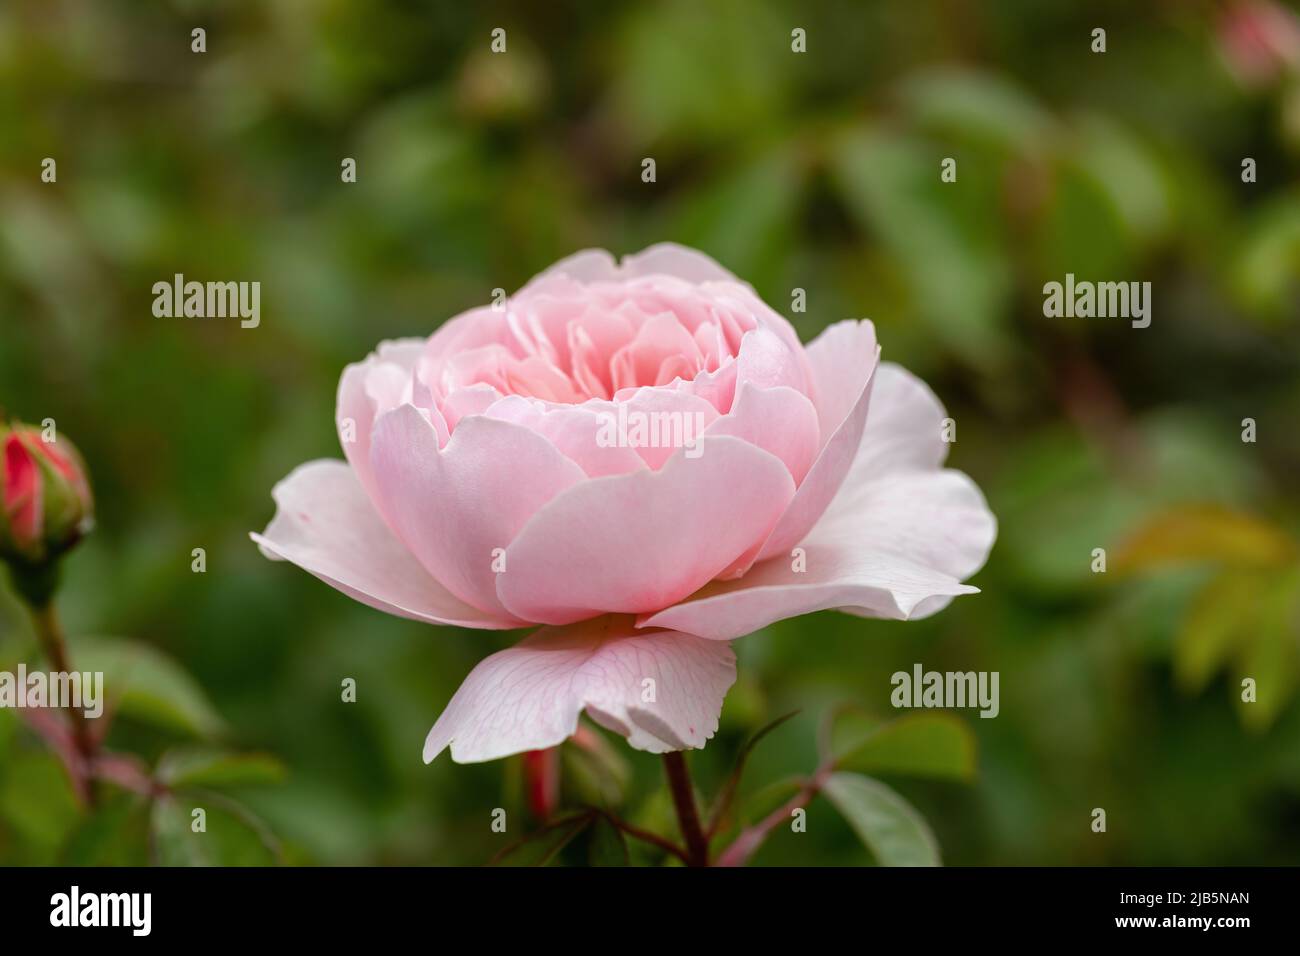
column 146, row 685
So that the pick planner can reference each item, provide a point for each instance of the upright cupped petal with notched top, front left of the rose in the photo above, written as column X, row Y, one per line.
column 456, row 507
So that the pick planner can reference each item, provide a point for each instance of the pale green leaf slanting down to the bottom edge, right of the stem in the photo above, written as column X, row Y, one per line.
column 887, row 825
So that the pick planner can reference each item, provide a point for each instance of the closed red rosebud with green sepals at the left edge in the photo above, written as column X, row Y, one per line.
column 45, row 496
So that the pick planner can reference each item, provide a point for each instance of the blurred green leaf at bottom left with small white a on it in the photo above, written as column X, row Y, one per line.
column 232, row 836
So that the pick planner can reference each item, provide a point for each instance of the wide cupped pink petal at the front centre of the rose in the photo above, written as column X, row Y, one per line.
column 638, row 543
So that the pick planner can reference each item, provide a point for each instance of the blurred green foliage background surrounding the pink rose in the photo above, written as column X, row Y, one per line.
column 816, row 171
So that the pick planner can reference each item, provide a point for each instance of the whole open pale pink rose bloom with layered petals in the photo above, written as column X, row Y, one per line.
column 482, row 490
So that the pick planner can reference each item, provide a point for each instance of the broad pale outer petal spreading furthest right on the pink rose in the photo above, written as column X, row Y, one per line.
column 895, row 544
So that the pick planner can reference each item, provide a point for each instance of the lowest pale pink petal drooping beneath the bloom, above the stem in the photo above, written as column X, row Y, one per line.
column 530, row 697
